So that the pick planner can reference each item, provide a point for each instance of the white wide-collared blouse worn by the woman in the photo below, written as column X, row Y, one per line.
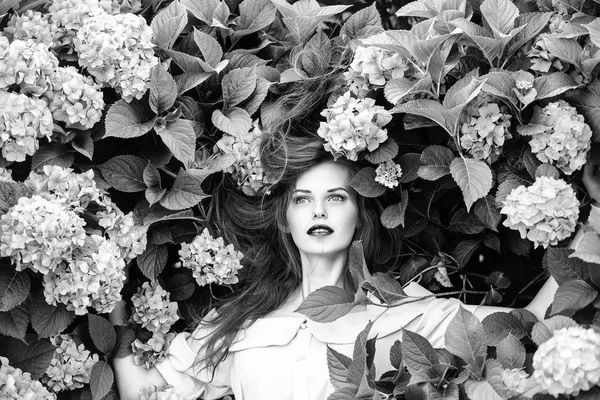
column 285, row 358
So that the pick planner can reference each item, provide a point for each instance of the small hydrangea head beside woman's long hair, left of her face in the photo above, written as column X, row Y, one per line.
column 210, row 260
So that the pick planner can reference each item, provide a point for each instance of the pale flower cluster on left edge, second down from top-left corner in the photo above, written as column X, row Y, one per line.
column 25, row 63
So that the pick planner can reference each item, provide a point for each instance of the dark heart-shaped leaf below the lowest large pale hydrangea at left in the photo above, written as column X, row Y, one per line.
column 48, row 320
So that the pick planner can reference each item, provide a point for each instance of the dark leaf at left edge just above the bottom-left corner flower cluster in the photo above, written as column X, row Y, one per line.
column 33, row 357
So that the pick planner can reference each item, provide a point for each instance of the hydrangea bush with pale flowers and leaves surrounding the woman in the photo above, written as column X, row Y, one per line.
column 471, row 123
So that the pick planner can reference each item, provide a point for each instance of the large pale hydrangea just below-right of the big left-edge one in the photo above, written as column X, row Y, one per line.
column 94, row 278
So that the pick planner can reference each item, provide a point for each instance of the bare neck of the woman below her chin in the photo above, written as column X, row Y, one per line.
column 319, row 271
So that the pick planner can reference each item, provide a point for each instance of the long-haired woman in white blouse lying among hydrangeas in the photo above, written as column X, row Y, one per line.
column 256, row 346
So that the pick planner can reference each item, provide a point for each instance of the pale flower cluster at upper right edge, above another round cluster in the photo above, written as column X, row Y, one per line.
column 567, row 139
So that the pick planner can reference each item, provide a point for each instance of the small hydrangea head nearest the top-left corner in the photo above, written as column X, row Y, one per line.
column 32, row 25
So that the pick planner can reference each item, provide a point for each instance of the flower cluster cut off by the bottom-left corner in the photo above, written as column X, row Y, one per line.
column 18, row 385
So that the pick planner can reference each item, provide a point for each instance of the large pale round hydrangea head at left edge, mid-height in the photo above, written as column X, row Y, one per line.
column 40, row 234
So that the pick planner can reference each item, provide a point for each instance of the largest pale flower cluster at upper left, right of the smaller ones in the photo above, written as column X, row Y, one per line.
column 117, row 50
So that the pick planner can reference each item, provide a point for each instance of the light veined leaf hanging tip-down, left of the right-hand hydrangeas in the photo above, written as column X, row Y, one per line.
column 474, row 178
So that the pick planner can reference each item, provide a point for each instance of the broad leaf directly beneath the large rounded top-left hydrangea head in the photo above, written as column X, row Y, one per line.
column 127, row 120
